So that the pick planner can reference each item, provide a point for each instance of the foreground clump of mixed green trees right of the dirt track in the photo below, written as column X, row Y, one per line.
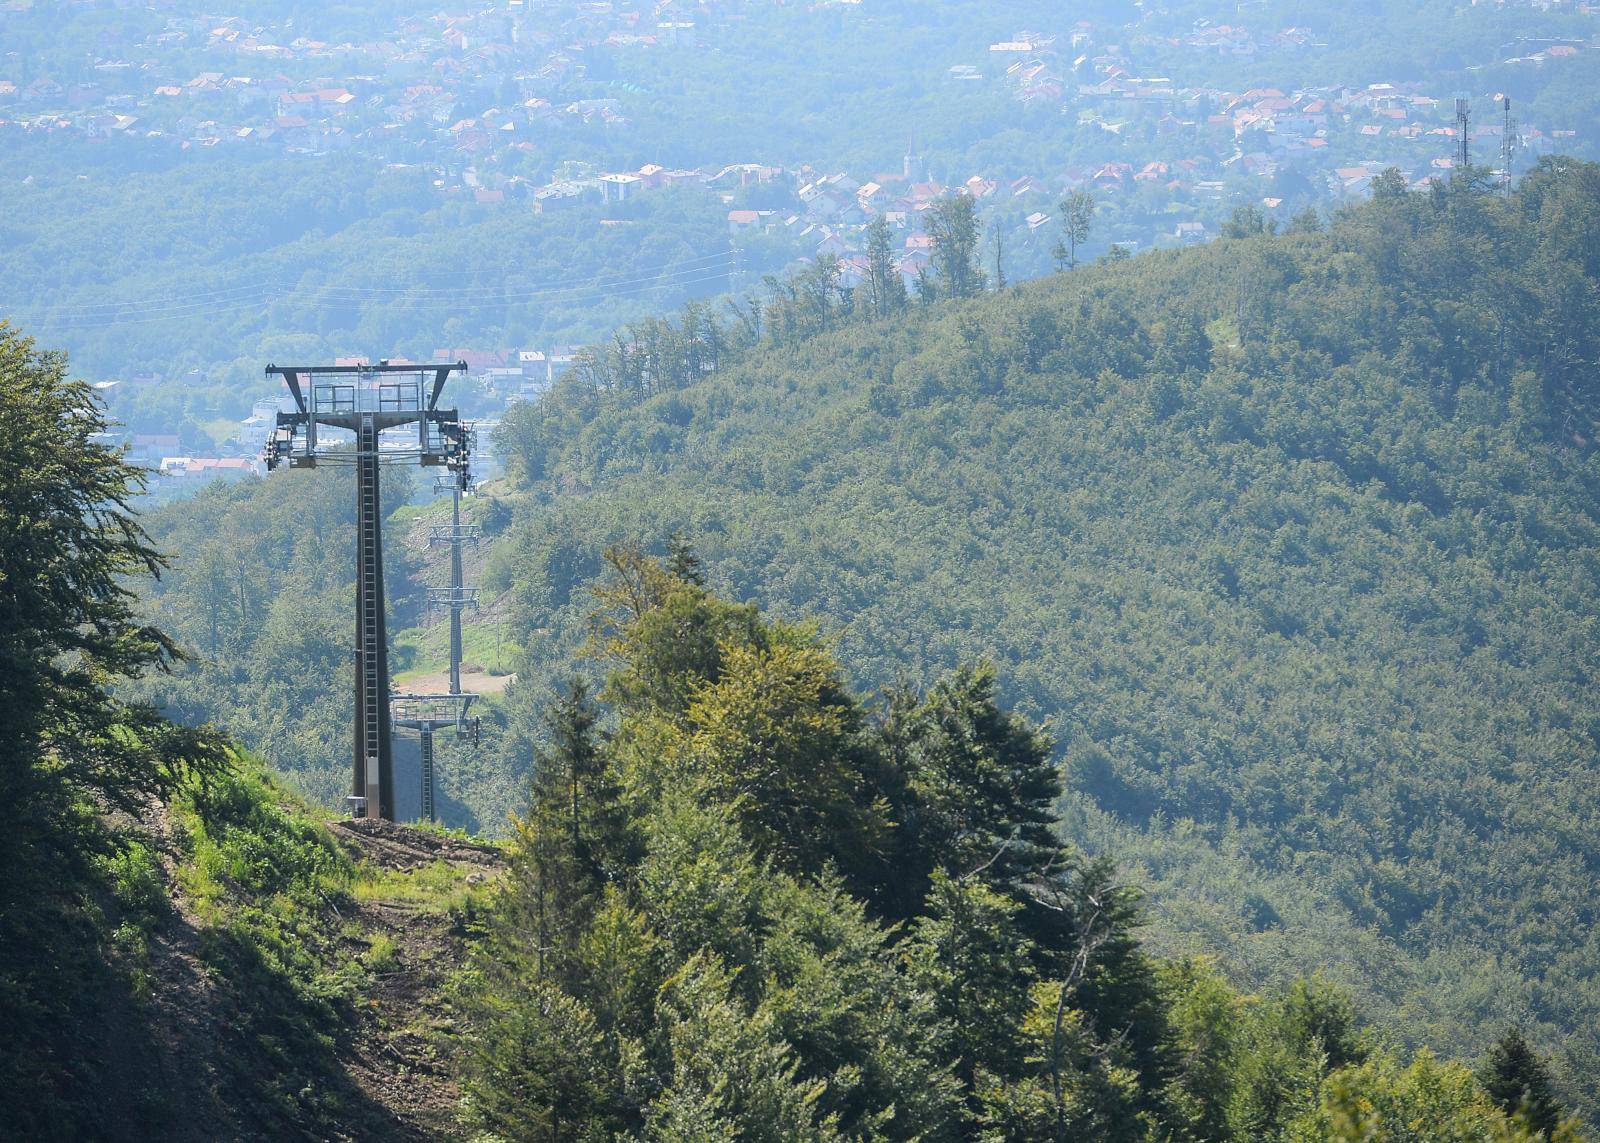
column 758, row 910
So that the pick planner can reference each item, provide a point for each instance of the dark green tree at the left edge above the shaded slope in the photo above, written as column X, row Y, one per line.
column 70, row 548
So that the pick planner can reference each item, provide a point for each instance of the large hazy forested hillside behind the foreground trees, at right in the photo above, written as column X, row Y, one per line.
column 1292, row 540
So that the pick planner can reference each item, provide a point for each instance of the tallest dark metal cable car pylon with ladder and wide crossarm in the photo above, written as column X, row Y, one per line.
column 372, row 403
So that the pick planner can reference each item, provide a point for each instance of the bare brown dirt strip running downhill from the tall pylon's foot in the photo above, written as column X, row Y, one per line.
column 394, row 1054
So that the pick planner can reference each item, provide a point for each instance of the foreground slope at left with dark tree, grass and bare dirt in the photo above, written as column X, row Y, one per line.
column 186, row 950
